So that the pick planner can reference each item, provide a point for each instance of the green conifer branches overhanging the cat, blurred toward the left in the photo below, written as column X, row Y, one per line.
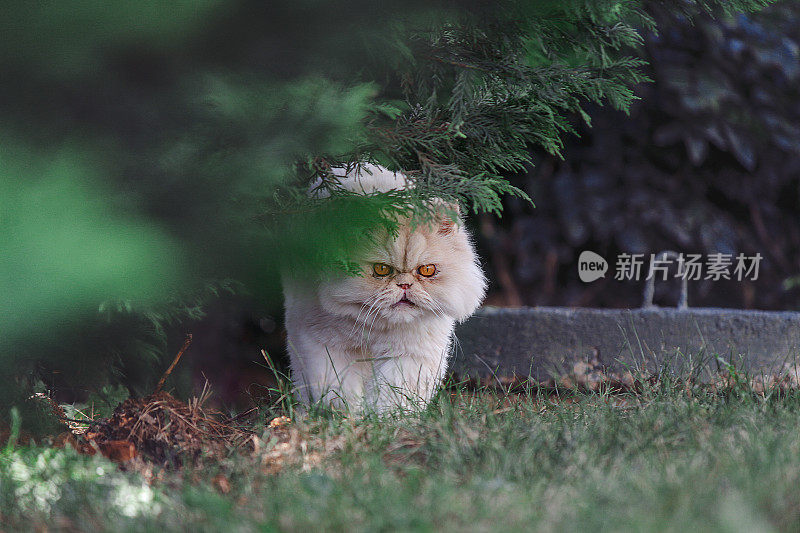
column 150, row 151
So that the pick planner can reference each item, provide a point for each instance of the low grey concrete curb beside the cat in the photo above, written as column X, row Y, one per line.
column 545, row 342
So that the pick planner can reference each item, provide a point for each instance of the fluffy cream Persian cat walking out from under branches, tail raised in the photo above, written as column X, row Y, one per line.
column 381, row 340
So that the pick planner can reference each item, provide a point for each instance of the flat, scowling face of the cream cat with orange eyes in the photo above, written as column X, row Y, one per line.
column 421, row 274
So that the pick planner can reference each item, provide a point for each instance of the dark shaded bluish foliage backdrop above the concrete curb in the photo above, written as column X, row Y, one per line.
column 708, row 161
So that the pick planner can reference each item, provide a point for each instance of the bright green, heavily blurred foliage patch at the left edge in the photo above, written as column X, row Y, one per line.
column 68, row 243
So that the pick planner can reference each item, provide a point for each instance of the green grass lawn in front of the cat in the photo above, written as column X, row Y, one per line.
column 663, row 460
